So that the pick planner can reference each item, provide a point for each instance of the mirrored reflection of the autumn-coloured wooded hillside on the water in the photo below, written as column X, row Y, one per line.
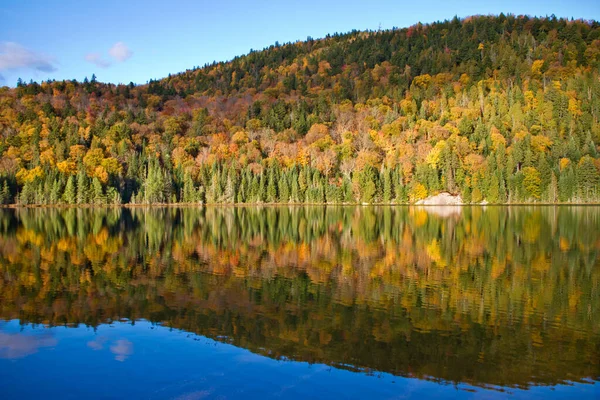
column 496, row 296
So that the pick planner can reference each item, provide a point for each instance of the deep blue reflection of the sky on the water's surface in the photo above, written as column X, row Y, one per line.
column 145, row 360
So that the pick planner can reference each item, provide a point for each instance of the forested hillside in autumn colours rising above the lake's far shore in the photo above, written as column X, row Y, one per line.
column 497, row 108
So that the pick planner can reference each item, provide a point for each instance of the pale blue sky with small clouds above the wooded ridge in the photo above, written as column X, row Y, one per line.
column 123, row 41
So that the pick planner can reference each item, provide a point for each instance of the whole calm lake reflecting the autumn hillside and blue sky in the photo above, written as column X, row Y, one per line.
column 296, row 302
